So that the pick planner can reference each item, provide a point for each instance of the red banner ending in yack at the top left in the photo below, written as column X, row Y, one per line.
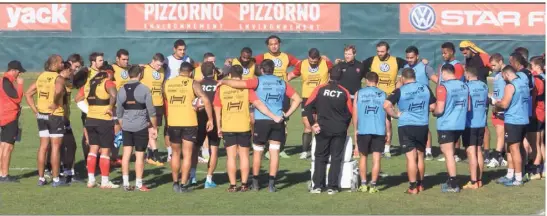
column 35, row 17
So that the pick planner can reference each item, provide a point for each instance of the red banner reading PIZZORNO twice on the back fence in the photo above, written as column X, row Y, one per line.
column 233, row 17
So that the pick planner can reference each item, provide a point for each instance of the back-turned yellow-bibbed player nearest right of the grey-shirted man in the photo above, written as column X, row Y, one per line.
column 179, row 93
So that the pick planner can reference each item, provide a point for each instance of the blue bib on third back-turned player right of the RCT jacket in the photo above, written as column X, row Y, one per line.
column 455, row 107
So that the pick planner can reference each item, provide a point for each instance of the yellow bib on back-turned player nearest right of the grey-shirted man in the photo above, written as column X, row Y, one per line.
column 179, row 94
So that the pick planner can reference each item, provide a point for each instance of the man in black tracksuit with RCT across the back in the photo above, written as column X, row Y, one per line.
column 332, row 104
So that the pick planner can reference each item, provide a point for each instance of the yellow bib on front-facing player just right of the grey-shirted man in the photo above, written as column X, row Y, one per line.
column 154, row 81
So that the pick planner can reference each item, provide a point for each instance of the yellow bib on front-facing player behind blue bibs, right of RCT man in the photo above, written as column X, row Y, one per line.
column 387, row 73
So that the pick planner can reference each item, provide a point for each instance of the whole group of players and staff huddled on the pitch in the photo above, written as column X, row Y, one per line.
column 246, row 104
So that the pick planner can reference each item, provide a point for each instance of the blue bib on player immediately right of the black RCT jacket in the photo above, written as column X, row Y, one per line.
column 371, row 114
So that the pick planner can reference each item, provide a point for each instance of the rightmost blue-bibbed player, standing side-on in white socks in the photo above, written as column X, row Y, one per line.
column 515, row 102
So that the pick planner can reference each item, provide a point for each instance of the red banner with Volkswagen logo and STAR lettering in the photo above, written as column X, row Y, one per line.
column 504, row 19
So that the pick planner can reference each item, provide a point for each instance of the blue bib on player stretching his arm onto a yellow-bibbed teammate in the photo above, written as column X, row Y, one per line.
column 271, row 91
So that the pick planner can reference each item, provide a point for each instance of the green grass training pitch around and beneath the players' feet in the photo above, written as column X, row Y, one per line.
column 292, row 197
